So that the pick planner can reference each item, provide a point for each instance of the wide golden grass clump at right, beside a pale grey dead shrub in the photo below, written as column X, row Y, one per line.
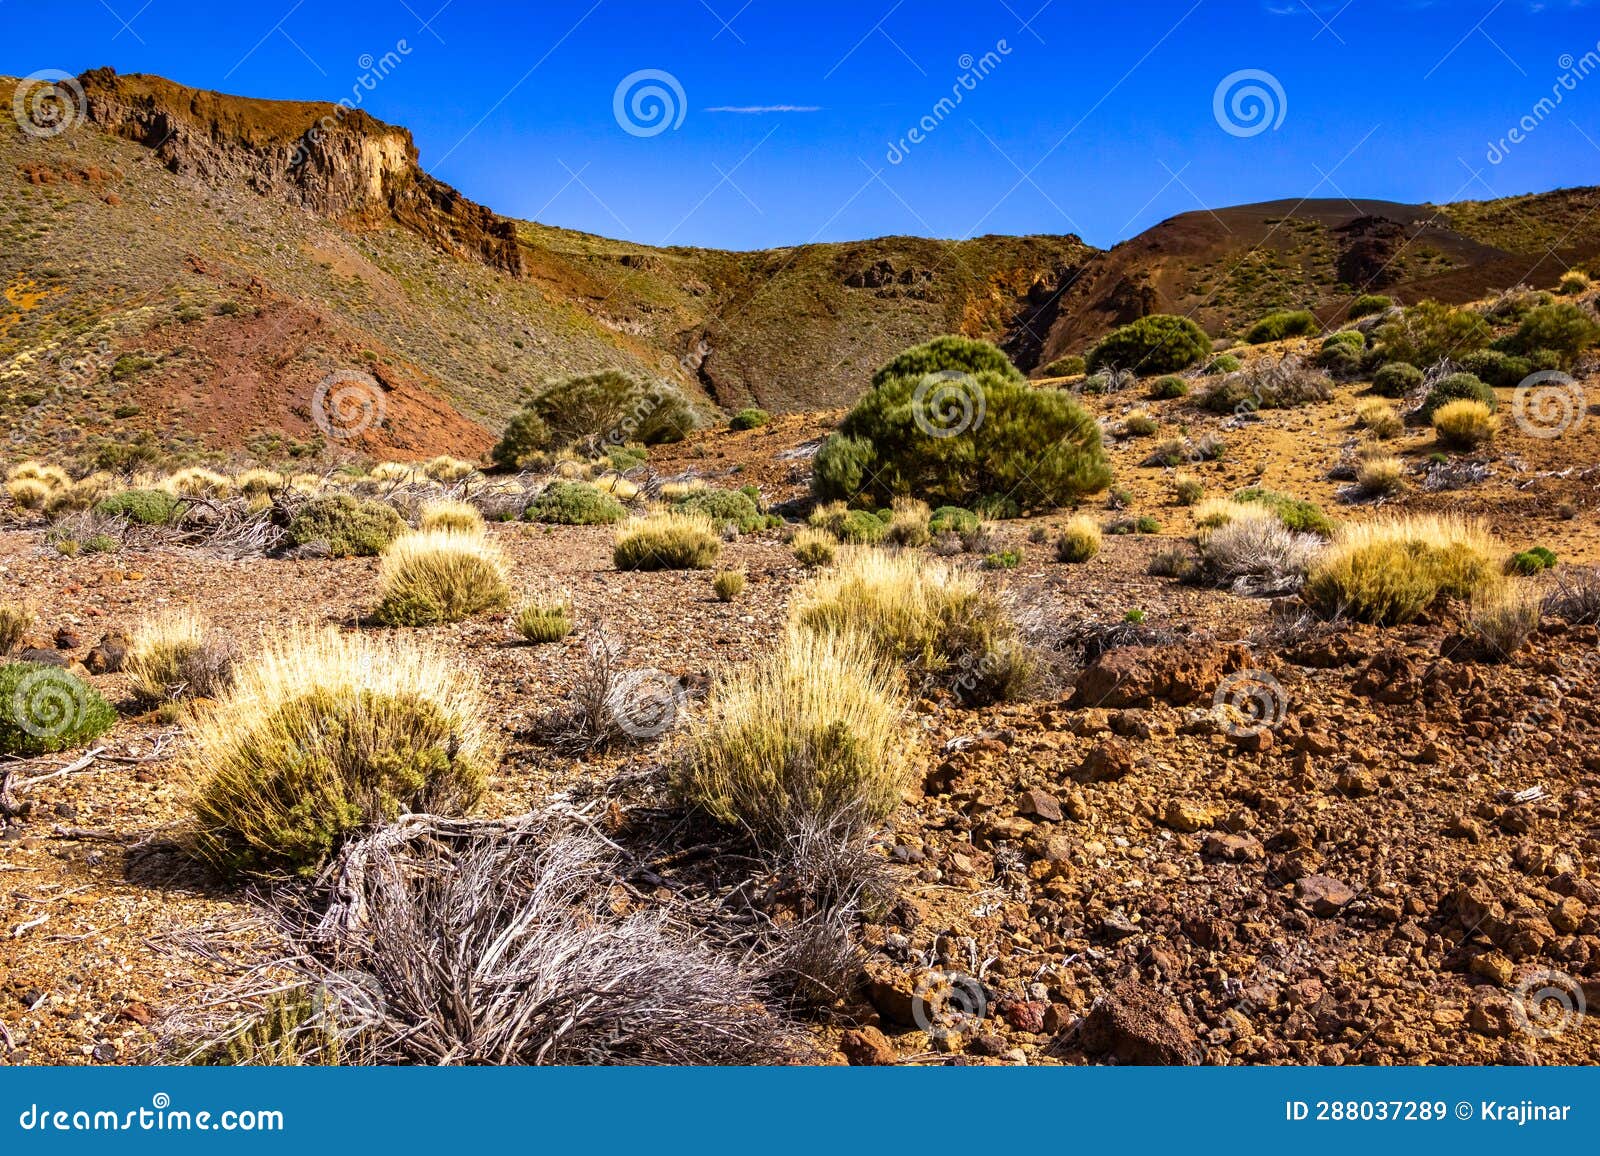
column 1391, row 571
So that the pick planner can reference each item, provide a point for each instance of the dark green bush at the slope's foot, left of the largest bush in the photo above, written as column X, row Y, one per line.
column 593, row 412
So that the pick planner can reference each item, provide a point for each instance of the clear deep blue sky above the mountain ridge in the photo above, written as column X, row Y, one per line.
column 798, row 118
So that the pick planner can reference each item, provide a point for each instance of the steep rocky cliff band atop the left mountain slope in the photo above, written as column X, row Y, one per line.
column 330, row 159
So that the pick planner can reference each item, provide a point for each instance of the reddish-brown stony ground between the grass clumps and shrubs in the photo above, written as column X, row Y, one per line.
column 1383, row 873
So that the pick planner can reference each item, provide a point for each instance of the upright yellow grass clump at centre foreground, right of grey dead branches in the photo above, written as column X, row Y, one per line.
column 815, row 731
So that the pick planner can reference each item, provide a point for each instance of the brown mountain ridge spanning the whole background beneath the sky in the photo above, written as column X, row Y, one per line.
column 183, row 268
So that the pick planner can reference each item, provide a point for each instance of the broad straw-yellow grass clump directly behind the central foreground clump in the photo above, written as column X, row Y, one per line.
column 922, row 612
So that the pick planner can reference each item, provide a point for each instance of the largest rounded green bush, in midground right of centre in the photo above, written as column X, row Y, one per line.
column 1034, row 448
